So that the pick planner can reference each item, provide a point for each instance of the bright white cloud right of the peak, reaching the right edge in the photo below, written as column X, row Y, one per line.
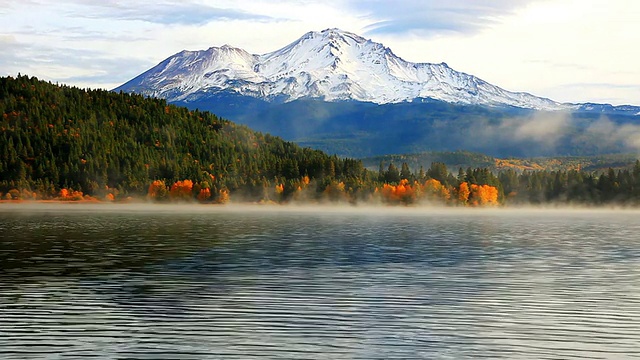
column 547, row 46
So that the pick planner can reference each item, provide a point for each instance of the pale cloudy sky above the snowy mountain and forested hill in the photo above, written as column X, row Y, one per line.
column 566, row 50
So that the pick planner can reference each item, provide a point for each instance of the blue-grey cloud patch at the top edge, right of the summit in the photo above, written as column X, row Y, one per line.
column 433, row 17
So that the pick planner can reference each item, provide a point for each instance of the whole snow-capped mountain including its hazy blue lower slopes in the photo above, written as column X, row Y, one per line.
column 341, row 93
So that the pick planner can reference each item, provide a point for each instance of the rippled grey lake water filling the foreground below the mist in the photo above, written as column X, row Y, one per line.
column 198, row 282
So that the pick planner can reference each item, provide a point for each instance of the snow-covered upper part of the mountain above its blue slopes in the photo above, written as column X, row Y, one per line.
column 332, row 65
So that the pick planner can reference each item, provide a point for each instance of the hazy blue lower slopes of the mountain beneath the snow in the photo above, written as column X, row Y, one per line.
column 359, row 129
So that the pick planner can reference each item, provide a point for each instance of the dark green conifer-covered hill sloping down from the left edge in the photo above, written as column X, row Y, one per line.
column 115, row 144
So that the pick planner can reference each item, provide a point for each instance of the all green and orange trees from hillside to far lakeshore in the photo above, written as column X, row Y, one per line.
column 60, row 142
